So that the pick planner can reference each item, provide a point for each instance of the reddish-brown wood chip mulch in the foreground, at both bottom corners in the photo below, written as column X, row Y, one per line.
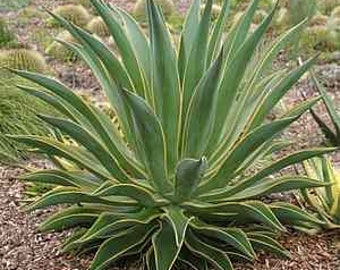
column 23, row 247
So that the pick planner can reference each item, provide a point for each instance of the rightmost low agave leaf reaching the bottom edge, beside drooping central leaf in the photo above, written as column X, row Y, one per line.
column 215, row 256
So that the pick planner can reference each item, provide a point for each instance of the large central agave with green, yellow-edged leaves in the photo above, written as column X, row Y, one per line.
column 179, row 187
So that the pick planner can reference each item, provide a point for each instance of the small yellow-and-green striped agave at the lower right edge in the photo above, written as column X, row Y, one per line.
column 325, row 201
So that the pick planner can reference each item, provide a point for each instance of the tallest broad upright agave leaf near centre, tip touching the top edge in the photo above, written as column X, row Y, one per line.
column 166, row 95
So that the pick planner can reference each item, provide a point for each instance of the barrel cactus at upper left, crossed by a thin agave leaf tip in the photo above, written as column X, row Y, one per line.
column 59, row 51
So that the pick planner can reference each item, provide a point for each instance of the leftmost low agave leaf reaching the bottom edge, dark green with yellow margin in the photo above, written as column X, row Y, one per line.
column 112, row 248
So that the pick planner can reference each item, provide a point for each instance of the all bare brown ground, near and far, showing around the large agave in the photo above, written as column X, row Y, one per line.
column 23, row 247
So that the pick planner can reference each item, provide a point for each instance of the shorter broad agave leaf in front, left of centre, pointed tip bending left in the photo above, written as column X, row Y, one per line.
column 151, row 144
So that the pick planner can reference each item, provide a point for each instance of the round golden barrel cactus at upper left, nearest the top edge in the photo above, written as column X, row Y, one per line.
column 76, row 14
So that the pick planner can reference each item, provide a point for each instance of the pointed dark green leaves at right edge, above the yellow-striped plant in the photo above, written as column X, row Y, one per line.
column 332, row 134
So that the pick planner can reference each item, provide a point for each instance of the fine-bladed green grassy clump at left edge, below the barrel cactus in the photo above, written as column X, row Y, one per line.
column 17, row 116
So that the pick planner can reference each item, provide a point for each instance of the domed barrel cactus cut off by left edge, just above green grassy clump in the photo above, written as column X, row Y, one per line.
column 24, row 59
